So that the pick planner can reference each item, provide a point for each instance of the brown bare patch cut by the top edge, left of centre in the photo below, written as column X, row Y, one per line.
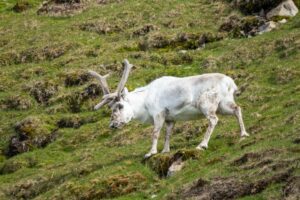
column 62, row 7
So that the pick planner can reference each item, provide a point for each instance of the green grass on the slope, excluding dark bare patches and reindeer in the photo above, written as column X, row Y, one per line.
column 79, row 160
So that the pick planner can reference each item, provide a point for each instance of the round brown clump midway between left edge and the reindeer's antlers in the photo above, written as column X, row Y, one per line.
column 42, row 91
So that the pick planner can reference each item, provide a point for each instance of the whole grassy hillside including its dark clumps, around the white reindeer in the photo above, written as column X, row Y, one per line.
column 46, row 101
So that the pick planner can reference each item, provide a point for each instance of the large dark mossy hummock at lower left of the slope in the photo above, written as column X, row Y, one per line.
column 31, row 133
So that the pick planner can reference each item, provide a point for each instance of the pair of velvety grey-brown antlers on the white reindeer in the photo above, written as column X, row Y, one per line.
column 108, row 96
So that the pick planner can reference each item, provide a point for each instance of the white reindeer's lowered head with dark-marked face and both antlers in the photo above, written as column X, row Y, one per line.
column 121, row 110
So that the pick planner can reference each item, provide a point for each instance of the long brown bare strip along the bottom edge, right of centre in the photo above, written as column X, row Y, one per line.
column 231, row 187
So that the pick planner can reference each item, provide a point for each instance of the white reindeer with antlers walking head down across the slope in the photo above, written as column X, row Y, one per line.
column 169, row 99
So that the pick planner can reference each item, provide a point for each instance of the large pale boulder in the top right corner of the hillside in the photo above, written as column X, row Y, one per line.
column 285, row 9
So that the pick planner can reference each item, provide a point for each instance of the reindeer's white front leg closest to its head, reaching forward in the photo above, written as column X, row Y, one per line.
column 158, row 124
